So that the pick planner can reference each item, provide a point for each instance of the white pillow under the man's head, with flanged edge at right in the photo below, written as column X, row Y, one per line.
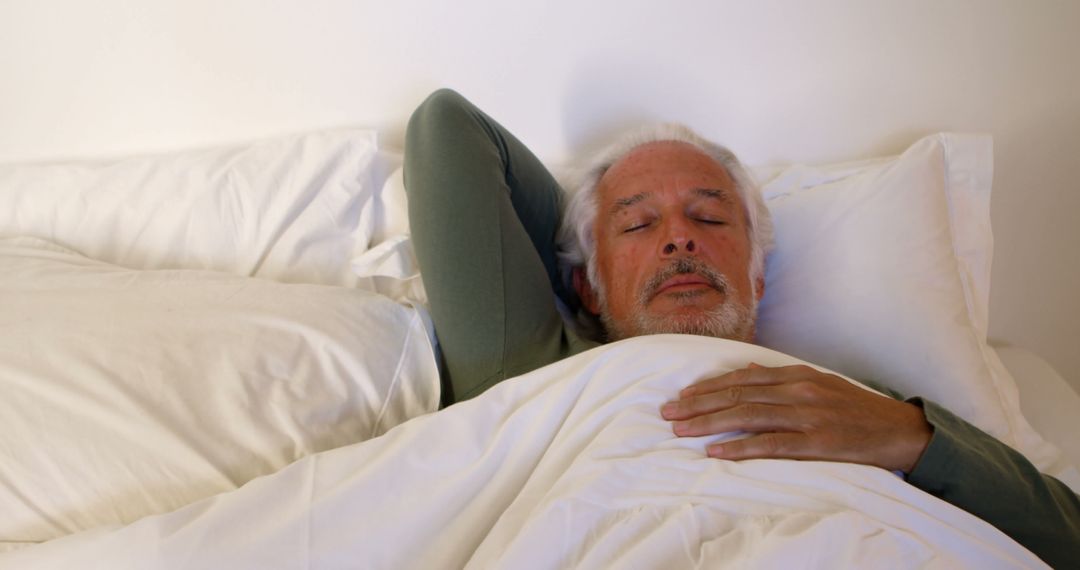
column 882, row 273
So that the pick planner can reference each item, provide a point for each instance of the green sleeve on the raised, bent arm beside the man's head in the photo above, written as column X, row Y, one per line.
column 483, row 213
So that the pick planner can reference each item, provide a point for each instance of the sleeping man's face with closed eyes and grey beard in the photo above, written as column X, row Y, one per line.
column 672, row 247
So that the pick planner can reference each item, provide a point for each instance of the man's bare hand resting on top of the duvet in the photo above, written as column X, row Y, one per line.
column 799, row 413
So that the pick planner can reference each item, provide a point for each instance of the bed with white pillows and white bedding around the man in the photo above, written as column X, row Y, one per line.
column 222, row 358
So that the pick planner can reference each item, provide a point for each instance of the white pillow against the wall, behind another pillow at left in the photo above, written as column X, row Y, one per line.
column 292, row 209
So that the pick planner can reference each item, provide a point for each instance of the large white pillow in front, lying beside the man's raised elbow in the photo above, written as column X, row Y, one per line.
column 128, row 392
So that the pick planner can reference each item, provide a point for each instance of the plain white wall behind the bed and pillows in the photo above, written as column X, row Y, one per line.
column 777, row 82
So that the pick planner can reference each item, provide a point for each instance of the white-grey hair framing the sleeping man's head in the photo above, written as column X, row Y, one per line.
column 576, row 242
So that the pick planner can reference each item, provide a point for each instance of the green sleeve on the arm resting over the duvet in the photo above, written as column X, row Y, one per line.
column 971, row 470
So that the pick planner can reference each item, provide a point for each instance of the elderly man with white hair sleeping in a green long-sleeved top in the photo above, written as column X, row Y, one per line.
column 669, row 236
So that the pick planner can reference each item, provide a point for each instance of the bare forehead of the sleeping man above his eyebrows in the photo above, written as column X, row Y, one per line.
column 664, row 167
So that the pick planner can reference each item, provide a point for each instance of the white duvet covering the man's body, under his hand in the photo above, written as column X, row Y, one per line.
column 570, row 466
